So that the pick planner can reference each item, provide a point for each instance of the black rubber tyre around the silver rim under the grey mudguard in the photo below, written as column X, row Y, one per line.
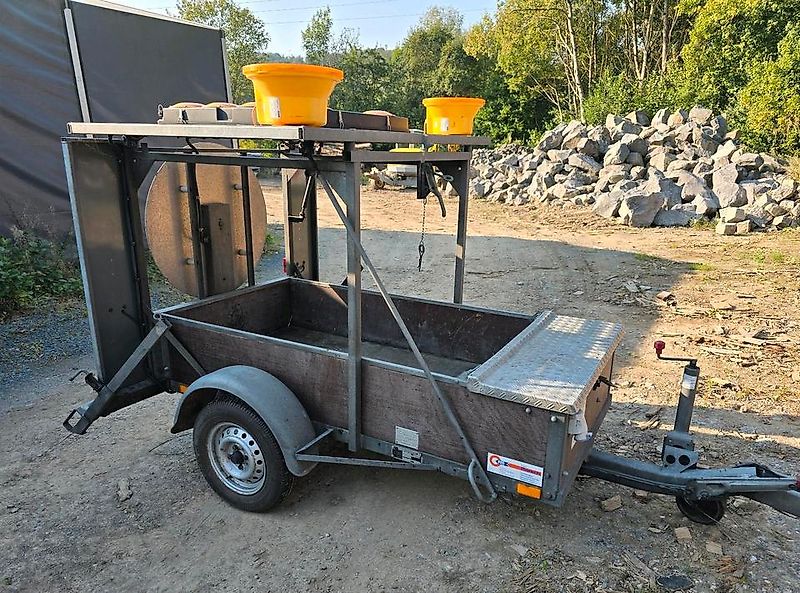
column 278, row 480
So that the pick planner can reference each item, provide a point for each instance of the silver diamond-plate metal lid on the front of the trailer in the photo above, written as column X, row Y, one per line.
column 552, row 364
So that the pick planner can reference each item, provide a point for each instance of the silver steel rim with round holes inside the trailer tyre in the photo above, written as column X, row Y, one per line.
column 236, row 458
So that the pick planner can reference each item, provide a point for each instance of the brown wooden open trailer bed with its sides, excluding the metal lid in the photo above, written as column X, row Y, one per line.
column 297, row 330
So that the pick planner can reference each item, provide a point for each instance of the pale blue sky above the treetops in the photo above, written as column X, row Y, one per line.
column 379, row 22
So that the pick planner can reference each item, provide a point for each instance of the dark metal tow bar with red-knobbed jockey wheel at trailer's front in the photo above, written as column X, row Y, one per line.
column 700, row 493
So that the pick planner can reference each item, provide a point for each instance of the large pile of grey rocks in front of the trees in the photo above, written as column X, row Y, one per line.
column 668, row 170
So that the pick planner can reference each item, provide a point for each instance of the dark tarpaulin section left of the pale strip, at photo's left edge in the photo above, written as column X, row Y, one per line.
column 37, row 98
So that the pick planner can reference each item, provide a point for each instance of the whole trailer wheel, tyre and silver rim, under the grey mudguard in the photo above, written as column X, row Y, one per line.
column 239, row 456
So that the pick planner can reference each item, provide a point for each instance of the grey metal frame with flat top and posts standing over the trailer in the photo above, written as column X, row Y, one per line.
column 343, row 173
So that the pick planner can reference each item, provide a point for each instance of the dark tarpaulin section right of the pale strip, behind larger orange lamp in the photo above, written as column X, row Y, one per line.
column 132, row 63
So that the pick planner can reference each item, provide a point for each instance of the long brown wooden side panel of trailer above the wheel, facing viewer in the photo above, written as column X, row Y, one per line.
column 390, row 398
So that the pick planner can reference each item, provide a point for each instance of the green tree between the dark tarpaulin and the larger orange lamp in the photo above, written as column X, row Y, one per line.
column 246, row 38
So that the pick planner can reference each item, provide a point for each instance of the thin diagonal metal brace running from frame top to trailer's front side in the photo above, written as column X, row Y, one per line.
column 355, row 245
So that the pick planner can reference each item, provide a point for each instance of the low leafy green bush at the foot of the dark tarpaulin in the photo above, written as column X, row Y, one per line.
column 32, row 268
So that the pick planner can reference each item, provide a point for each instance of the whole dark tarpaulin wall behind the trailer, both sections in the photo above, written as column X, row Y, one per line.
column 131, row 63
